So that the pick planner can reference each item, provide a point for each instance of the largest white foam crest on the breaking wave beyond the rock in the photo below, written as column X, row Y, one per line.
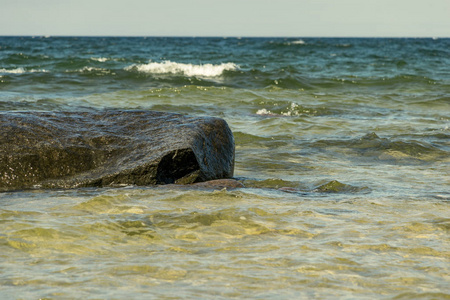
column 168, row 67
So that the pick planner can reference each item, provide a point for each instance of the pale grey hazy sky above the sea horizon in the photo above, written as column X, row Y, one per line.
column 299, row 18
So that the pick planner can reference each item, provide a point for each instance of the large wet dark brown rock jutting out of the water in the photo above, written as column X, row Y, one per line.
column 107, row 148
